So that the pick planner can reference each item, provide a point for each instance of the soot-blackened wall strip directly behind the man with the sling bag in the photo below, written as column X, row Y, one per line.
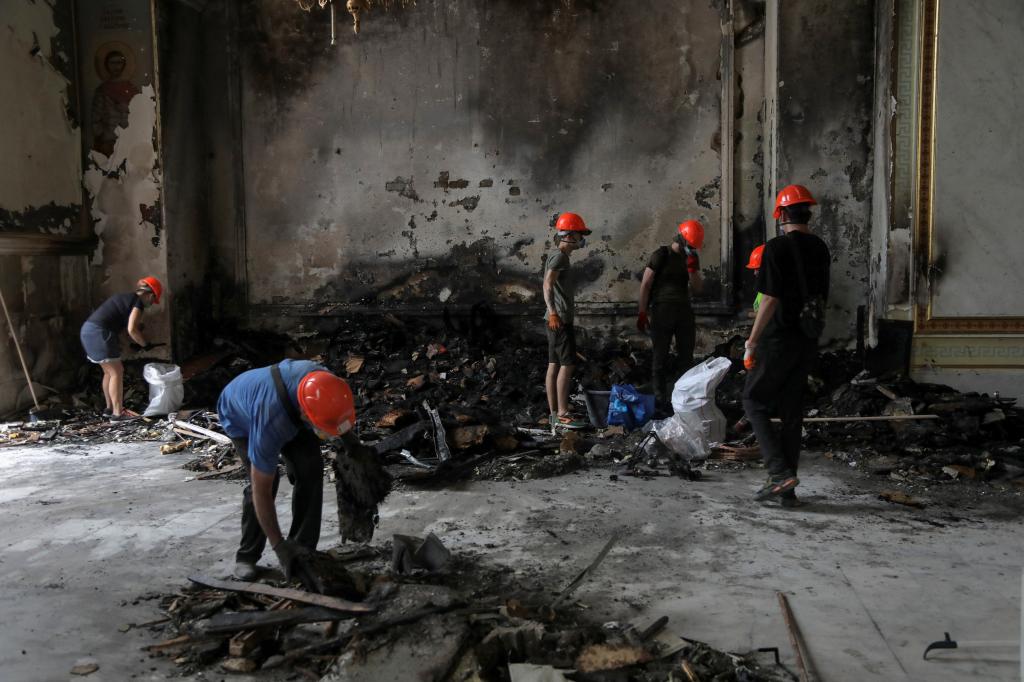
column 825, row 131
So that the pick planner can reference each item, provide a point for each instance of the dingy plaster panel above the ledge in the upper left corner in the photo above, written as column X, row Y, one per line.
column 40, row 151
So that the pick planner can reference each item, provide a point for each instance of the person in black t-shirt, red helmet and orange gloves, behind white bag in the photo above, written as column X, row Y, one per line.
column 665, row 308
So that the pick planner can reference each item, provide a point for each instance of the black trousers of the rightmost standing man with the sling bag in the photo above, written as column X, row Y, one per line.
column 776, row 388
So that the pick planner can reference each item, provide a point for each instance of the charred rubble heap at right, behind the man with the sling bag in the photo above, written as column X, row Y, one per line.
column 917, row 432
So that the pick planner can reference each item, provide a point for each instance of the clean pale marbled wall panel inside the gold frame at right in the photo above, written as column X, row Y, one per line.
column 977, row 248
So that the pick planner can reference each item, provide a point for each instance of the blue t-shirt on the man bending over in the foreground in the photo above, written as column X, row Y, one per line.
column 249, row 408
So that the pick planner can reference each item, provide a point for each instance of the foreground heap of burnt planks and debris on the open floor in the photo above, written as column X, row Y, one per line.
column 463, row 621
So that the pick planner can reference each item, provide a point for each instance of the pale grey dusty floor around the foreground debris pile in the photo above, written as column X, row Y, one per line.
column 94, row 534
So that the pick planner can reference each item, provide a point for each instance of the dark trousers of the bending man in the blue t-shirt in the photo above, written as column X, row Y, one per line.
column 306, row 472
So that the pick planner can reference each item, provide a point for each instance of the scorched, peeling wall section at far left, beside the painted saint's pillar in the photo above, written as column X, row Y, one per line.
column 44, row 275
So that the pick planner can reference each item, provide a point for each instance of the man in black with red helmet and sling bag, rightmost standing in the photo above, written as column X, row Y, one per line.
column 783, row 347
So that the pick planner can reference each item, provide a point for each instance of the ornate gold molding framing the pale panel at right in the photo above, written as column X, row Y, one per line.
column 925, row 321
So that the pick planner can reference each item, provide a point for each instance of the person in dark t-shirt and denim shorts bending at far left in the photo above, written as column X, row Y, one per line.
column 101, row 338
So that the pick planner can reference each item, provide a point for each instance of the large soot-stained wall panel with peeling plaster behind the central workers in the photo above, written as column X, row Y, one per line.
column 424, row 160
